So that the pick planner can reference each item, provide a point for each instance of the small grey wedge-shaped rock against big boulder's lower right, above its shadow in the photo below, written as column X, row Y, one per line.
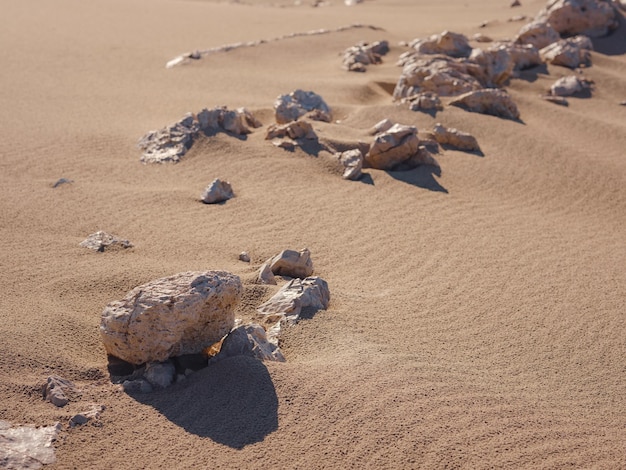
column 250, row 340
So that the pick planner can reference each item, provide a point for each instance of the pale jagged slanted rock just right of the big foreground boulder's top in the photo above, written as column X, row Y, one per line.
column 288, row 302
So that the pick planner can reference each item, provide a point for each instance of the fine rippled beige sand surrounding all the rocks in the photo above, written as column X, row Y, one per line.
column 478, row 314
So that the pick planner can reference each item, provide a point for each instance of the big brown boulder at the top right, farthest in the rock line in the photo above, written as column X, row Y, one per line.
column 590, row 17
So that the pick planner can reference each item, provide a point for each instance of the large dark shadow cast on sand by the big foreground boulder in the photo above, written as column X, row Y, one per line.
column 232, row 402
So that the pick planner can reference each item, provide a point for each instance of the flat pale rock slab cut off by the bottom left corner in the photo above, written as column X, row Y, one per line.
column 27, row 447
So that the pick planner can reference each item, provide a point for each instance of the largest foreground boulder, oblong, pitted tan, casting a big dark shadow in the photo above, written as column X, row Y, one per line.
column 172, row 316
